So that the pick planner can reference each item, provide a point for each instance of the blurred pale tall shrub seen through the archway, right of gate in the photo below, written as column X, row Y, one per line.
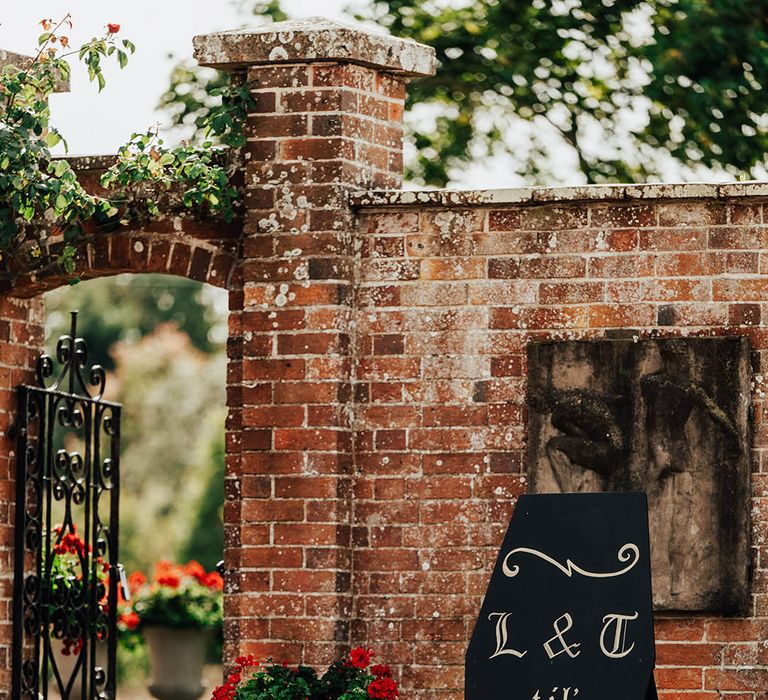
column 172, row 402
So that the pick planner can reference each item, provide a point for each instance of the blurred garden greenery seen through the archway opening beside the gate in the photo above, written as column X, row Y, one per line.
column 162, row 340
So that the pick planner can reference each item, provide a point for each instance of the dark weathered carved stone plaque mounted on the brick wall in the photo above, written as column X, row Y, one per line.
column 666, row 416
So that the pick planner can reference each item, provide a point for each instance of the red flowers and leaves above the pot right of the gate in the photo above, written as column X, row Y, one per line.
column 177, row 596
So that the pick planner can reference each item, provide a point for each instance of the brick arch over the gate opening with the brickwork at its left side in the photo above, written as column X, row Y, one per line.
column 202, row 252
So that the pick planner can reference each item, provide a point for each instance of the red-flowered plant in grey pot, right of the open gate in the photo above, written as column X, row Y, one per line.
column 176, row 612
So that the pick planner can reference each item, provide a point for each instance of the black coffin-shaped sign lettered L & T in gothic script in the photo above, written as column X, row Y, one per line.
column 568, row 612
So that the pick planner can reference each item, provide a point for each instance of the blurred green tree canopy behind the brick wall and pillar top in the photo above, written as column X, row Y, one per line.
column 627, row 91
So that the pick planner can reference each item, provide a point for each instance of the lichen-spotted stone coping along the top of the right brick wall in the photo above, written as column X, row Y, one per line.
column 550, row 195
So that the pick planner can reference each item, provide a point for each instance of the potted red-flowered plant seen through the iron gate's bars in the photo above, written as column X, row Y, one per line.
column 67, row 599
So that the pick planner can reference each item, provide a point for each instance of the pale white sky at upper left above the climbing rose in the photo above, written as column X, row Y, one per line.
column 96, row 123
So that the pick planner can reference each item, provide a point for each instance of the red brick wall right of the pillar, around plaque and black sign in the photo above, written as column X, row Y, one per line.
column 447, row 300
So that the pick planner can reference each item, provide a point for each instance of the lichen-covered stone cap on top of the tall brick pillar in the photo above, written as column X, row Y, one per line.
column 312, row 40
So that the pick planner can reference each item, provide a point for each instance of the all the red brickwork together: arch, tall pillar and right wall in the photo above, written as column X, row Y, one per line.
column 377, row 374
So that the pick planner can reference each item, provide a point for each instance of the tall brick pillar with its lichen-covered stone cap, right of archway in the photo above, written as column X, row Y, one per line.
column 328, row 120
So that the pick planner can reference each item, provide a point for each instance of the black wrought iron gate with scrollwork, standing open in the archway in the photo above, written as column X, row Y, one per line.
column 66, row 555
